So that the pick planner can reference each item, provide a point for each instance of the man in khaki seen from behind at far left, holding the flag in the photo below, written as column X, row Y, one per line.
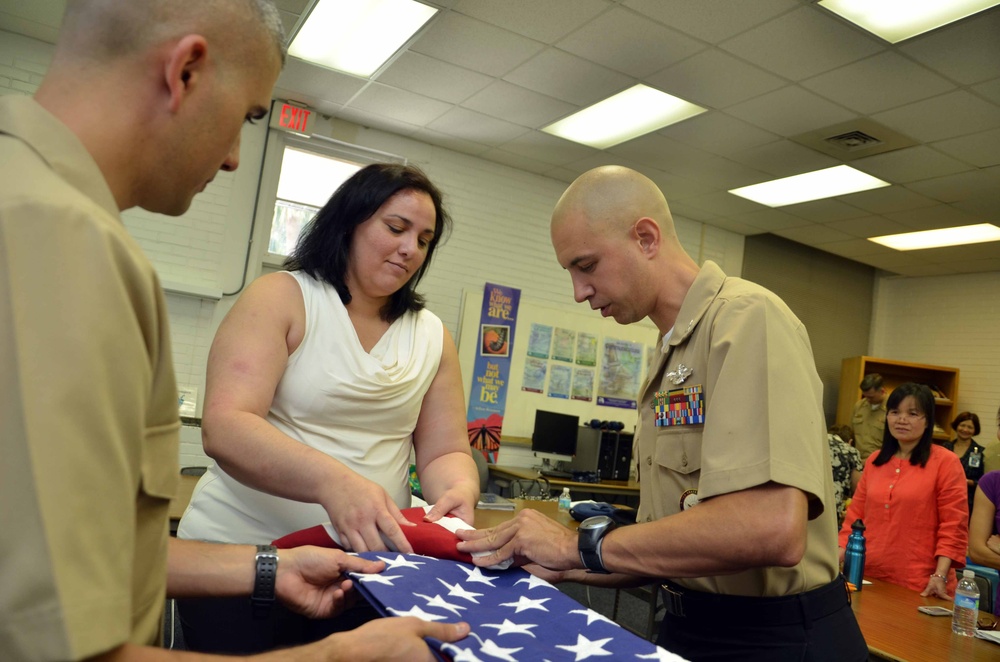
column 142, row 105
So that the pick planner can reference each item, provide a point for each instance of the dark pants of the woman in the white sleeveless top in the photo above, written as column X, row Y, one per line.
column 227, row 625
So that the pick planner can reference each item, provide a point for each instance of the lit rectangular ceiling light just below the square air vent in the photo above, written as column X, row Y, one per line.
column 826, row 183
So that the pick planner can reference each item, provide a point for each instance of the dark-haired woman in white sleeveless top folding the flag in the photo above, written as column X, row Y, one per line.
column 321, row 381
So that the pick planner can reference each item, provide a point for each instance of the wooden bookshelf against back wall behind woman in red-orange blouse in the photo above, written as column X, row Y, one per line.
column 894, row 373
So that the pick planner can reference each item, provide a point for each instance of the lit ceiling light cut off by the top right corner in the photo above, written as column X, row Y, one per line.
column 896, row 20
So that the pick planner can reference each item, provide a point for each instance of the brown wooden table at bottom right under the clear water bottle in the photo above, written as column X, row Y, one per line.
column 895, row 630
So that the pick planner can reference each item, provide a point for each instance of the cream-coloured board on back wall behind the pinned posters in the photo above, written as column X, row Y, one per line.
column 521, row 405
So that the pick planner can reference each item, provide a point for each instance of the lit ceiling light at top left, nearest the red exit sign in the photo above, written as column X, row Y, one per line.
column 355, row 36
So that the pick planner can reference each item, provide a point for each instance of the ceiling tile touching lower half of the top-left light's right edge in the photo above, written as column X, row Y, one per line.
column 433, row 78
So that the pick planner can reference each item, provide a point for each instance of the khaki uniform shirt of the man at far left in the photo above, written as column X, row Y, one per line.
column 88, row 412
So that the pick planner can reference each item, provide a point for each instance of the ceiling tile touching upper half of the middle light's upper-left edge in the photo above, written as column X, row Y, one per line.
column 569, row 78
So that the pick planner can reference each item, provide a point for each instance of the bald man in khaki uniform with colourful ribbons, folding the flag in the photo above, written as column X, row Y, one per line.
column 736, row 495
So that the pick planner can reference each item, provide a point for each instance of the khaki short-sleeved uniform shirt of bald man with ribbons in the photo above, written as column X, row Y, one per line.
column 763, row 422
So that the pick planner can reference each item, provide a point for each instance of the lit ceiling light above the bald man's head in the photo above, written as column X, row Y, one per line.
column 629, row 114
